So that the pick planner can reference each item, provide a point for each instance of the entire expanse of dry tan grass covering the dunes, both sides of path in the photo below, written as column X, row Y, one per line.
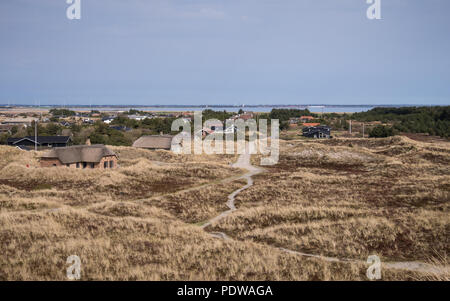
column 346, row 198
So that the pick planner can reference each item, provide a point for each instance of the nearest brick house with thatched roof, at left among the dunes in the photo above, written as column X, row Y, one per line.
column 80, row 156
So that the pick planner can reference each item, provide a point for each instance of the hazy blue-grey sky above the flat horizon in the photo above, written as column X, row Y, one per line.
column 226, row 52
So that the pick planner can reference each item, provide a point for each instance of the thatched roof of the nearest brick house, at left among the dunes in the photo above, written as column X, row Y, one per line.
column 79, row 153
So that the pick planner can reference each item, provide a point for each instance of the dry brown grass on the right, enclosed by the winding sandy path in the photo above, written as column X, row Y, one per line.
column 350, row 198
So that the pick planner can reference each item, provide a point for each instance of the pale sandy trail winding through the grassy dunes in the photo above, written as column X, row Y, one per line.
column 244, row 163
